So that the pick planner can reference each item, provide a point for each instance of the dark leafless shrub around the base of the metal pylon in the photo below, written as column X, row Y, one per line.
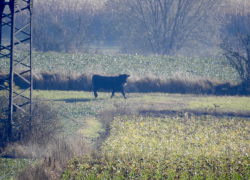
column 44, row 122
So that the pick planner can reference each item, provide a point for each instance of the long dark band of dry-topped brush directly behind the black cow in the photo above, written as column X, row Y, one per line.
column 179, row 83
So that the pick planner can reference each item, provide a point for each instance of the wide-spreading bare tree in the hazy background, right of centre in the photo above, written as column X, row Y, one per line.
column 162, row 26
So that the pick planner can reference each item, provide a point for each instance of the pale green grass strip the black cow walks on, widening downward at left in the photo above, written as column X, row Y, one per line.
column 80, row 109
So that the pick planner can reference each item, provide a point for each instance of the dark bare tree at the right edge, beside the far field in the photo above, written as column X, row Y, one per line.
column 235, row 44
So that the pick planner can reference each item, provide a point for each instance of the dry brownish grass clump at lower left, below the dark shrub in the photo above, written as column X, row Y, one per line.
column 55, row 155
